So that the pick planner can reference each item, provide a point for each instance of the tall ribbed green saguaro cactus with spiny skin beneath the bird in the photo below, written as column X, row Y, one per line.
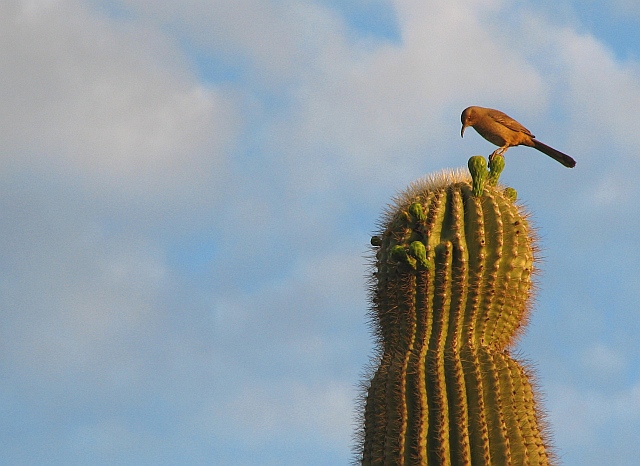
column 446, row 390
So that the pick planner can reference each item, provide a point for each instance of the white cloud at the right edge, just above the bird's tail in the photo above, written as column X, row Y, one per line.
column 600, row 92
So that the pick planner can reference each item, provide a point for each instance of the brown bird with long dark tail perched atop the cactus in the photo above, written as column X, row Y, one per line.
column 505, row 132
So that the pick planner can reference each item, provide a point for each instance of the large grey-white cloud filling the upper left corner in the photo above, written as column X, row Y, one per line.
column 106, row 100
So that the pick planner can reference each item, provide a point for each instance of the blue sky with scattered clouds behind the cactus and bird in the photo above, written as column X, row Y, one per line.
column 188, row 189
